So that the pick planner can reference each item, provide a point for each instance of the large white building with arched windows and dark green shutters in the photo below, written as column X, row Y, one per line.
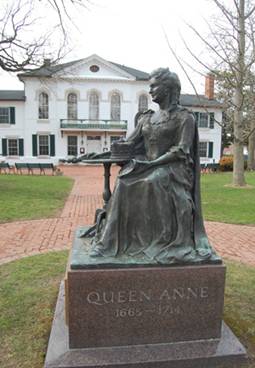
column 82, row 106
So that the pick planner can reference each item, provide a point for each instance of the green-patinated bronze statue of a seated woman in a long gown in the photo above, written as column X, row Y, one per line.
column 155, row 209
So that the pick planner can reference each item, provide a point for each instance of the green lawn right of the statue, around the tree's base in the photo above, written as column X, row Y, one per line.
column 227, row 204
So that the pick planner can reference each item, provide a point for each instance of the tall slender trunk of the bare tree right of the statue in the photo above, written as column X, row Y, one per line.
column 238, row 167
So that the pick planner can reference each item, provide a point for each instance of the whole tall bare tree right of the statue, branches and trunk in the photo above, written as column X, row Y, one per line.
column 232, row 46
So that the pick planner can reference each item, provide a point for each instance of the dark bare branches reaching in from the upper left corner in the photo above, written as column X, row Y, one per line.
column 26, row 39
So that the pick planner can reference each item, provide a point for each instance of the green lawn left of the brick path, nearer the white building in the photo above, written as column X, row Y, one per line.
column 32, row 197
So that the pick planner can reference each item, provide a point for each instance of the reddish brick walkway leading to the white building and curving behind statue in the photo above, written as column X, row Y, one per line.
column 22, row 238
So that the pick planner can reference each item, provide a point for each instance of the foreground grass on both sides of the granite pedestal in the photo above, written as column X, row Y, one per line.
column 29, row 289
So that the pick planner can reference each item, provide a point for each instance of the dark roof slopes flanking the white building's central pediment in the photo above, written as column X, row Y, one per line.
column 49, row 70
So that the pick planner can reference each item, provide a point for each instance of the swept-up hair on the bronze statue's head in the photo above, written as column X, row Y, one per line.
column 170, row 80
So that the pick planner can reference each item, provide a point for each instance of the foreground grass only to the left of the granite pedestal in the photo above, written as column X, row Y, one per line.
column 28, row 290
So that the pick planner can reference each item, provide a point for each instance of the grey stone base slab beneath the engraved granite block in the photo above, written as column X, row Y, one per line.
column 215, row 353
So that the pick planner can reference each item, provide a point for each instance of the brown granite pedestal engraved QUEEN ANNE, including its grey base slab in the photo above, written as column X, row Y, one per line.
column 141, row 315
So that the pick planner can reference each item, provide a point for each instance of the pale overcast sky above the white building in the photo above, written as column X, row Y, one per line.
column 133, row 33
